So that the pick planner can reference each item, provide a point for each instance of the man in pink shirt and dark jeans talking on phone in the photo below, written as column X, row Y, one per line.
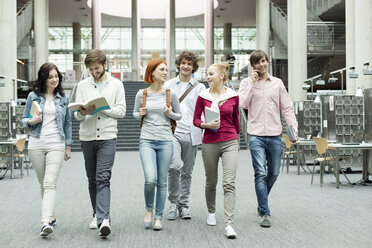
column 265, row 97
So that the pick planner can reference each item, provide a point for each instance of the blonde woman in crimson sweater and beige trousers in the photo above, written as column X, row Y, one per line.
column 220, row 140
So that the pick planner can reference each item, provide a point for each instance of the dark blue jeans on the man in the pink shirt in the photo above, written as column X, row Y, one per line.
column 266, row 155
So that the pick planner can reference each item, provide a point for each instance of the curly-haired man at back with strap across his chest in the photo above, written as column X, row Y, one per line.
column 186, row 138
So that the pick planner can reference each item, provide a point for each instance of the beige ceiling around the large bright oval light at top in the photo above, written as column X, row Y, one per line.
column 238, row 12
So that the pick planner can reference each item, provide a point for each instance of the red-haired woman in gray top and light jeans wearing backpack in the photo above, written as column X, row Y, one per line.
column 156, row 140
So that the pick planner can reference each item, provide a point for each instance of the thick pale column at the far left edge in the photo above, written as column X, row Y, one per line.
column 8, row 47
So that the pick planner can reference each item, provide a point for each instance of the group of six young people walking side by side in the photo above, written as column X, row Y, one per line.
column 167, row 152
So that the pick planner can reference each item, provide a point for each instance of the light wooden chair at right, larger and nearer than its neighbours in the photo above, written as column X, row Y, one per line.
column 324, row 158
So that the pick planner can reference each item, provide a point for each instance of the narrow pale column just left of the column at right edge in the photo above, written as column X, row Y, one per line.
column 350, row 44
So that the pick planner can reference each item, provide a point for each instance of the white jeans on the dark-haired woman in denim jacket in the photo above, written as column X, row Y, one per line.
column 47, row 164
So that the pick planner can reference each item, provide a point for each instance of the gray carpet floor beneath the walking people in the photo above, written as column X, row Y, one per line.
column 303, row 215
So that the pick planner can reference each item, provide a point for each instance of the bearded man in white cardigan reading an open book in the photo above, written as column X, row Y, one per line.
column 98, row 133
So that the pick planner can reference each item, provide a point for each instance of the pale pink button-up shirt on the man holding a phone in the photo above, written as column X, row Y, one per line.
column 264, row 100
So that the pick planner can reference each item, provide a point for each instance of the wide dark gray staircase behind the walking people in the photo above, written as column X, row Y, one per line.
column 128, row 127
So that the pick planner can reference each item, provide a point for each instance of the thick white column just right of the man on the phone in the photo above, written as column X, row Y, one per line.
column 297, row 49
